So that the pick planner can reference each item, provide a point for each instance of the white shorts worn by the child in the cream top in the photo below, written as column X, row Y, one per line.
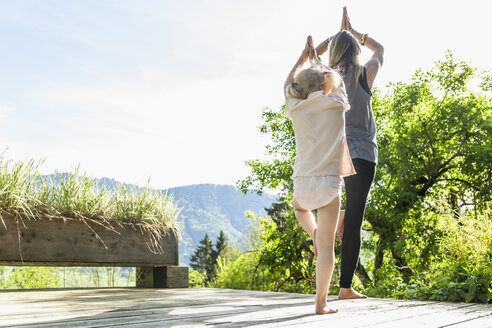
column 315, row 192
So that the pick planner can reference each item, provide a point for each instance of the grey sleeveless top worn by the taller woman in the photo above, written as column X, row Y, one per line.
column 359, row 120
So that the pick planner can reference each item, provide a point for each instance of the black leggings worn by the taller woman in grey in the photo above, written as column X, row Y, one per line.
column 356, row 190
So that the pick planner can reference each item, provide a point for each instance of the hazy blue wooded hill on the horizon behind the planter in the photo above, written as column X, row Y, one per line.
column 208, row 208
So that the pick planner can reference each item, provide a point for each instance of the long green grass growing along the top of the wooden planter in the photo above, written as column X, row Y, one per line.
column 72, row 195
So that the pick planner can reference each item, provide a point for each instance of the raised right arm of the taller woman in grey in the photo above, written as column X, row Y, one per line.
column 376, row 61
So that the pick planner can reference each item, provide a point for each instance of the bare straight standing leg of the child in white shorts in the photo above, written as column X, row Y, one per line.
column 325, row 241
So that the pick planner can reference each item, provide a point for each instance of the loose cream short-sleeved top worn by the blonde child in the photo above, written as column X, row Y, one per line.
column 319, row 128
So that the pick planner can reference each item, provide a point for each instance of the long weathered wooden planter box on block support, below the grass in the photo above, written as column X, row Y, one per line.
column 82, row 242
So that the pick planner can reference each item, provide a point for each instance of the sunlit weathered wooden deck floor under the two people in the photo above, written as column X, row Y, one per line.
column 197, row 307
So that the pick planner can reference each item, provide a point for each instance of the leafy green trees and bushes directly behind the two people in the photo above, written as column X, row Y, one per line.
column 434, row 172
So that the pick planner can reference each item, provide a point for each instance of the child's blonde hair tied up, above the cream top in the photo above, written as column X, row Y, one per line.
column 312, row 79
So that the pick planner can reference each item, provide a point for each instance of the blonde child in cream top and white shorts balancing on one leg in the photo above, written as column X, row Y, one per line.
column 316, row 102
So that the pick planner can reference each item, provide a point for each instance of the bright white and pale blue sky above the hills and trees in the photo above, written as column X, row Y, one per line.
column 173, row 90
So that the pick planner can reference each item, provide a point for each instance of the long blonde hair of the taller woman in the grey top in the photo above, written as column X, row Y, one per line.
column 344, row 51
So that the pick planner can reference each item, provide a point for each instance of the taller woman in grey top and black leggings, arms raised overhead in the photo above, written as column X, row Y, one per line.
column 361, row 138
